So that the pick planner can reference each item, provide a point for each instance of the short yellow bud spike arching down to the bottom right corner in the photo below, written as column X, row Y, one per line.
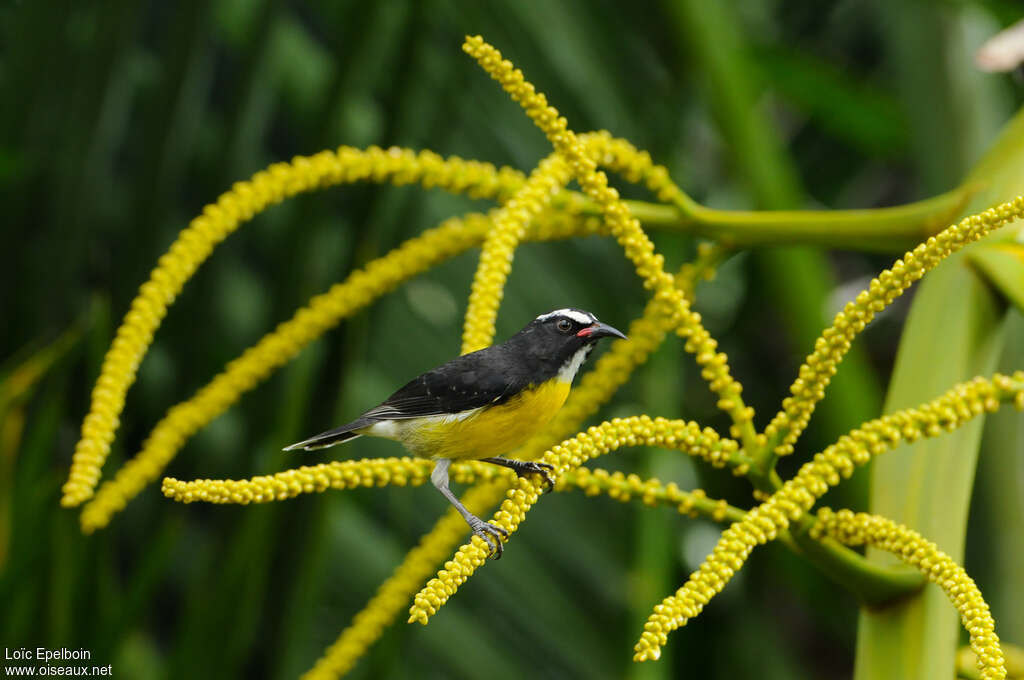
column 862, row 529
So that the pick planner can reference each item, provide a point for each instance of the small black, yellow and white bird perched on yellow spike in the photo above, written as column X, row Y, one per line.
column 483, row 405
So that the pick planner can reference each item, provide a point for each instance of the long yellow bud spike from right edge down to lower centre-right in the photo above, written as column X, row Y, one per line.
column 813, row 481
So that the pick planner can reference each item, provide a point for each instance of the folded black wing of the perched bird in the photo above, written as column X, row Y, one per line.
column 466, row 382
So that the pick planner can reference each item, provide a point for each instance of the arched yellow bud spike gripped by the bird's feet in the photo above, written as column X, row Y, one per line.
column 570, row 455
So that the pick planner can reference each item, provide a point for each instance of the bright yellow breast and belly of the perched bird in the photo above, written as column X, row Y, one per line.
column 489, row 432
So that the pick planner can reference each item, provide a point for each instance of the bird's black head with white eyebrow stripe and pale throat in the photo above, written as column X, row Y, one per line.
column 560, row 342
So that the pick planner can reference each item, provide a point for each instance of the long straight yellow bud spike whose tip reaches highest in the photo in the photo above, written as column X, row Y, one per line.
column 624, row 228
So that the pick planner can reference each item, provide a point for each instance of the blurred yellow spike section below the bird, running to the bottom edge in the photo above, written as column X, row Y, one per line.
column 394, row 594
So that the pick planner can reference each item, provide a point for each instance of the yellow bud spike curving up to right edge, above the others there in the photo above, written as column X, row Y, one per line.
column 821, row 366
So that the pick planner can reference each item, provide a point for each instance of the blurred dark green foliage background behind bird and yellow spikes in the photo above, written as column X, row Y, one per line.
column 121, row 120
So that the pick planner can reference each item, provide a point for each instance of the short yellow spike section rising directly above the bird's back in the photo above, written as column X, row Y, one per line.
column 499, row 248
